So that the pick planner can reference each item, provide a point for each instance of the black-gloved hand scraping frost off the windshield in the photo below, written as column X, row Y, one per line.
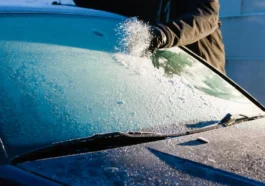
column 158, row 40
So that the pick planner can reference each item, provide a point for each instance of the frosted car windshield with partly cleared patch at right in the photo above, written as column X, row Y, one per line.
column 62, row 78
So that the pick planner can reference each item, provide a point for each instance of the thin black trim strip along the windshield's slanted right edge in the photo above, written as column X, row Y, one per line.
column 224, row 77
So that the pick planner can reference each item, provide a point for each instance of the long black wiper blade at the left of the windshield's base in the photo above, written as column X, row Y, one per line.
column 90, row 144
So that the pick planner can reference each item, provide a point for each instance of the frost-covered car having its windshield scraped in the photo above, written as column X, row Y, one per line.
column 76, row 110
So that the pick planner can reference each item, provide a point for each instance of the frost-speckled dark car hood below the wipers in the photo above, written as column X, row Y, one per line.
column 234, row 155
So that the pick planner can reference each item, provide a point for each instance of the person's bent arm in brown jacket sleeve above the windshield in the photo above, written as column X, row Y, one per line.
column 201, row 20
